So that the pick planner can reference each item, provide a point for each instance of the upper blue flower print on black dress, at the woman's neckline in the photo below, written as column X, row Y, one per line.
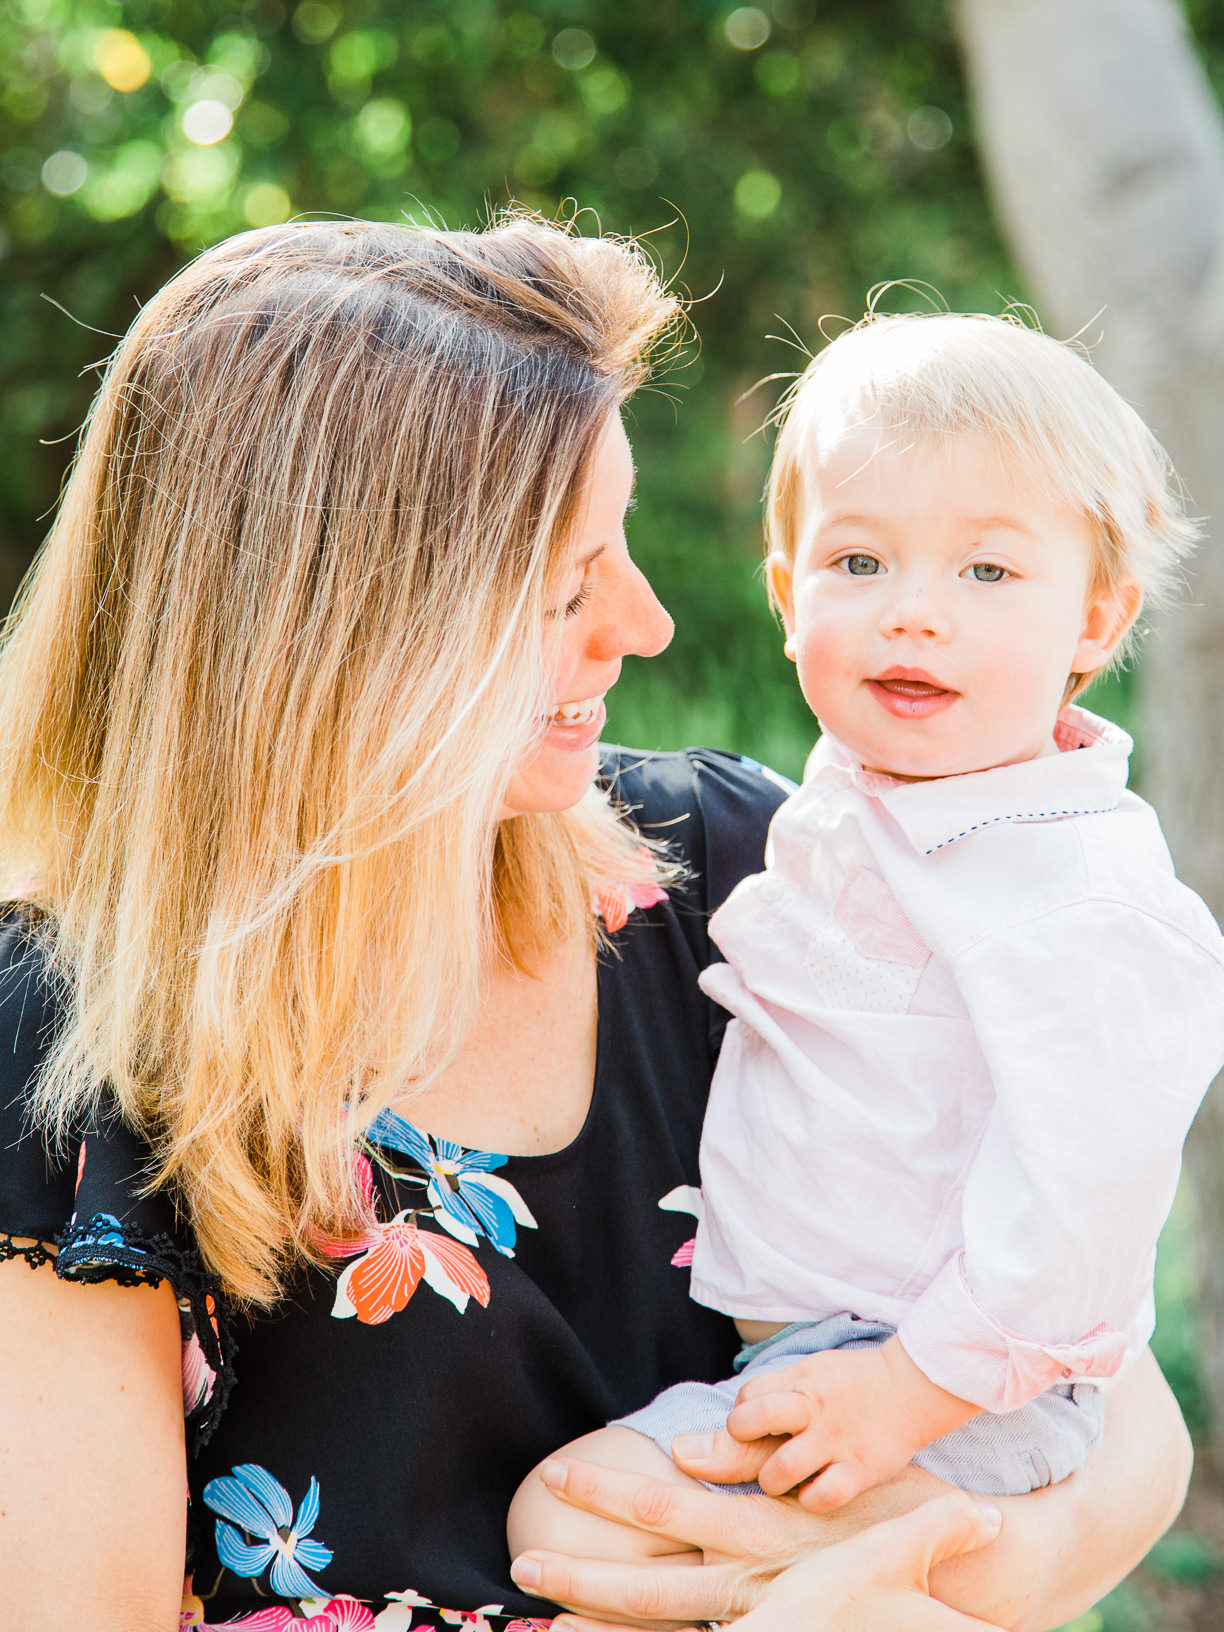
column 464, row 1194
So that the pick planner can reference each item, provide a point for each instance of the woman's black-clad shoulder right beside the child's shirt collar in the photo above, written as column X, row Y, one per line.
column 711, row 807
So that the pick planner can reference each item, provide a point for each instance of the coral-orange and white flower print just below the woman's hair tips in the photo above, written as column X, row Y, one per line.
column 396, row 1259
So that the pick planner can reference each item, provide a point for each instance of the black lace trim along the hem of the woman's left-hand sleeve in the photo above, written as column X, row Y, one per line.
column 102, row 1249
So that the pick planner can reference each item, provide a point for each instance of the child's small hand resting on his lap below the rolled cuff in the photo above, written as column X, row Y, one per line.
column 849, row 1417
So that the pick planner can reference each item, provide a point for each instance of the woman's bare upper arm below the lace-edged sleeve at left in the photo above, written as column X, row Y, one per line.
column 92, row 1457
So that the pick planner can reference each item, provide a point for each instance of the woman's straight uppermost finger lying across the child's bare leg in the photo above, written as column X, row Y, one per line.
column 750, row 1527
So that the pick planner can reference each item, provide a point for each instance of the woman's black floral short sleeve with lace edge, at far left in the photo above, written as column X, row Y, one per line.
column 79, row 1204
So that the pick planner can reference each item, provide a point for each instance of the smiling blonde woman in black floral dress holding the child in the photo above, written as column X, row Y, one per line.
column 352, row 1050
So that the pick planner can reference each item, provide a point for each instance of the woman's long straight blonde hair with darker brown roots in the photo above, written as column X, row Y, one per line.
column 264, row 691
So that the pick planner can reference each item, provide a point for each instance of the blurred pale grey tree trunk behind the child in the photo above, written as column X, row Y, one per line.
column 1106, row 151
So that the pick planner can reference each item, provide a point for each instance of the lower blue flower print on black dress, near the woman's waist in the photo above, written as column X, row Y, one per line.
column 260, row 1507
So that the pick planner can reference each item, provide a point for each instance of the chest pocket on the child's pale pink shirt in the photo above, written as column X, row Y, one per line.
column 867, row 956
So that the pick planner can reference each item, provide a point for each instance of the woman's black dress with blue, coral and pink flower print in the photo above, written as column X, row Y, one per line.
column 353, row 1453
